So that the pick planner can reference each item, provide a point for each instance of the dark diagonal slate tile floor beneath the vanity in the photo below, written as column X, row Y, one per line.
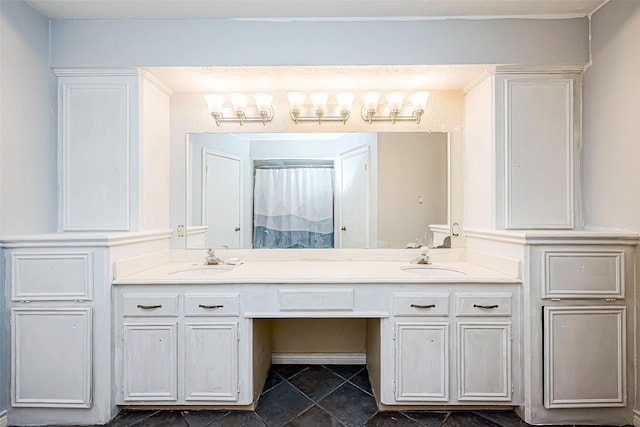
column 316, row 396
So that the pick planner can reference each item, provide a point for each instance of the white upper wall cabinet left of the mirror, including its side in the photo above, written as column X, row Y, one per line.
column 111, row 124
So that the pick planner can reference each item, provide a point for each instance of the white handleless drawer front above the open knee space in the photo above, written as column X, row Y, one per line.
column 316, row 299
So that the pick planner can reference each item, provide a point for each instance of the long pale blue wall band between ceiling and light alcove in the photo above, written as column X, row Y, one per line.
column 205, row 42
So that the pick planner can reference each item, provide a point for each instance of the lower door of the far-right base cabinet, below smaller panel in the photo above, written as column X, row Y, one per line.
column 584, row 357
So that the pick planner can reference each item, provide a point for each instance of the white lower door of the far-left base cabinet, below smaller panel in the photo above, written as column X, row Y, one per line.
column 51, row 357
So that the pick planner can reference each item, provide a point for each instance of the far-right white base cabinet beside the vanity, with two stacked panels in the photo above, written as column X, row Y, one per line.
column 581, row 330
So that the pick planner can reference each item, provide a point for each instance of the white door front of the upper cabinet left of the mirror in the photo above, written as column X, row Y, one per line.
column 97, row 116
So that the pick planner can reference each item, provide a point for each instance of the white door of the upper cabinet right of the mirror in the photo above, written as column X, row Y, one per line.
column 539, row 152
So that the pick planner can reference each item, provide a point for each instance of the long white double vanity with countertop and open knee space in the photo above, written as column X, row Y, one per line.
column 441, row 332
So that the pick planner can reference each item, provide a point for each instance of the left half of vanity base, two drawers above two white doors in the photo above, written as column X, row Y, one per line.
column 180, row 345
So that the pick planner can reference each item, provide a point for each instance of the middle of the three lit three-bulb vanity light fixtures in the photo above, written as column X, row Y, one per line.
column 320, row 109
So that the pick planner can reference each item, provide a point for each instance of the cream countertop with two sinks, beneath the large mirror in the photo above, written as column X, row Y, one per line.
column 317, row 272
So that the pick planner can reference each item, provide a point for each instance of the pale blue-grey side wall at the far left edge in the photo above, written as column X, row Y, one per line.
column 28, row 200
